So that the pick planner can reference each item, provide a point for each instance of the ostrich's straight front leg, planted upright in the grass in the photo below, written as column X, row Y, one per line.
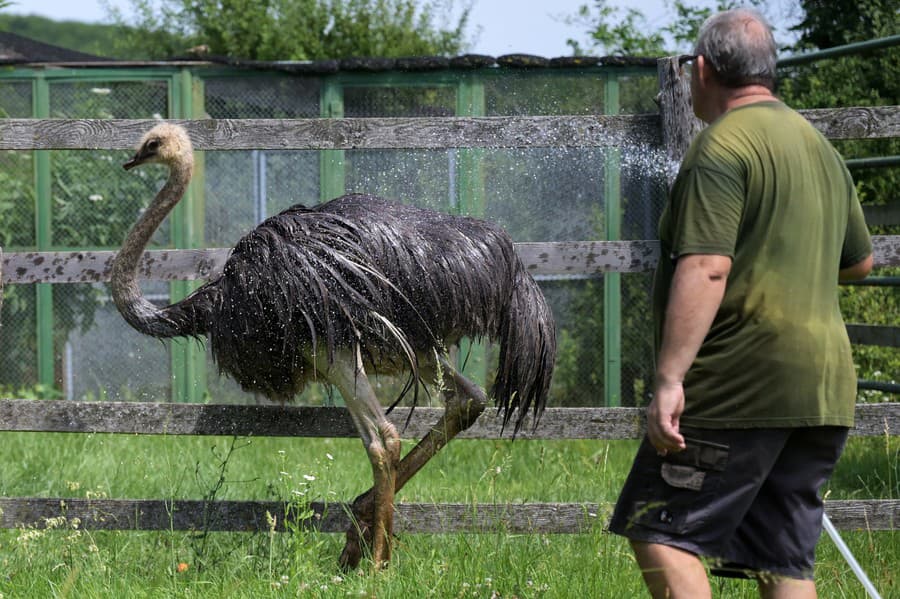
column 382, row 445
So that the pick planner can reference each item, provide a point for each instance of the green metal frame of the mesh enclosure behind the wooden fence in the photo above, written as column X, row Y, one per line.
column 186, row 100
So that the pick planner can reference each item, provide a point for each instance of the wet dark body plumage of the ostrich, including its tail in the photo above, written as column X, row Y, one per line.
column 401, row 282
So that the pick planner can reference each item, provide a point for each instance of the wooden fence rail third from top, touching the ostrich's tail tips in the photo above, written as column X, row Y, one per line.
column 872, row 420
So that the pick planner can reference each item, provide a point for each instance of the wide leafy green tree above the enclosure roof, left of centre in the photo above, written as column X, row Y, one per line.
column 296, row 29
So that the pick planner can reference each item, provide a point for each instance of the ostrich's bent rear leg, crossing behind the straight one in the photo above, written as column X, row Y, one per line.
column 465, row 402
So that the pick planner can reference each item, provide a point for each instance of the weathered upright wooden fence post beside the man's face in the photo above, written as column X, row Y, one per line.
column 679, row 125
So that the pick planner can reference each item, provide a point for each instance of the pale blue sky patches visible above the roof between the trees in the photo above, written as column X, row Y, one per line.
column 498, row 26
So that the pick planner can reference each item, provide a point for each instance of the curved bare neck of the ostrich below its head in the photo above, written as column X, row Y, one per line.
column 127, row 295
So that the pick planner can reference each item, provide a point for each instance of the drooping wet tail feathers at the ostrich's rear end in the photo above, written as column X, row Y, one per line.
column 527, row 353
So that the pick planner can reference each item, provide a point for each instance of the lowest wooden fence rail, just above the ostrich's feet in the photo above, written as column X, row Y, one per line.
column 437, row 518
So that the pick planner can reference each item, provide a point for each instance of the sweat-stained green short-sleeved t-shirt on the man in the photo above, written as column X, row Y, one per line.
column 762, row 186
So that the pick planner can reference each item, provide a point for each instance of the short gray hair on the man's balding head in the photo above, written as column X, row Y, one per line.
column 739, row 46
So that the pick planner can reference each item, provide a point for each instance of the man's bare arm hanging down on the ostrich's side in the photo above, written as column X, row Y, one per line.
column 697, row 290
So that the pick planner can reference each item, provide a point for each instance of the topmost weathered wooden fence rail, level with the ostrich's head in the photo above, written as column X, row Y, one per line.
column 396, row 133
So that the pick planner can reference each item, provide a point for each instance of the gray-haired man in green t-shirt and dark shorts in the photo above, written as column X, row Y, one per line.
column 755, row 384
